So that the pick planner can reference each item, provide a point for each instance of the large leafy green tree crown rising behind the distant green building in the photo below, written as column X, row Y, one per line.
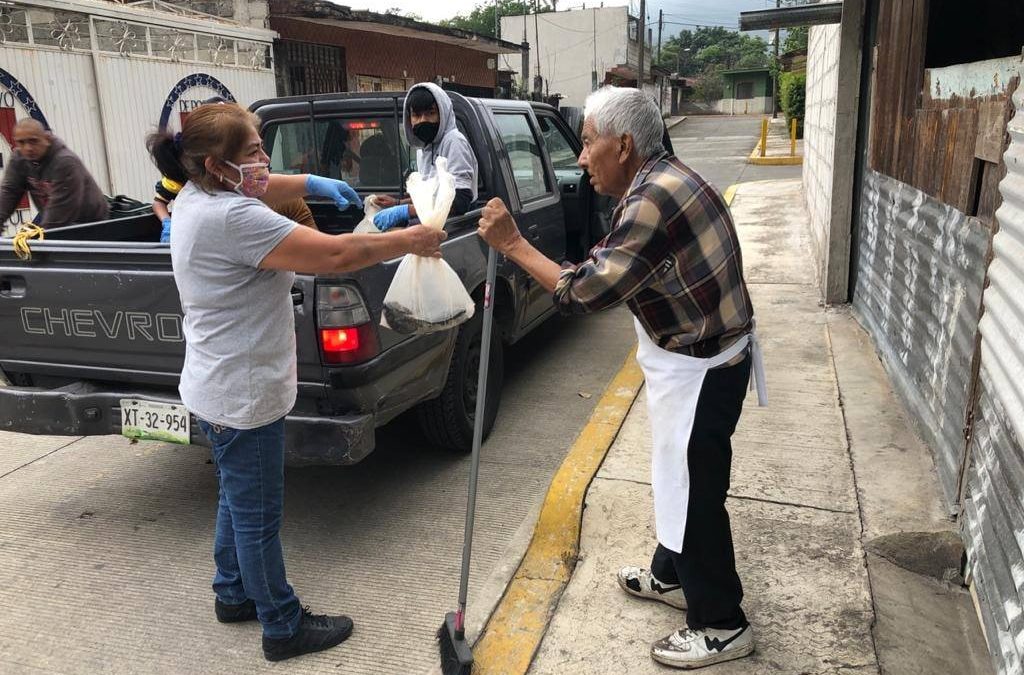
column 713, row 47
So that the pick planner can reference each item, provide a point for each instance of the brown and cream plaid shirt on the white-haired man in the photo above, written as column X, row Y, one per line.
column 673, row 258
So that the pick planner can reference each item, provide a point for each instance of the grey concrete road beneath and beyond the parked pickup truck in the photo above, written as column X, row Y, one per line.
column 106, row 545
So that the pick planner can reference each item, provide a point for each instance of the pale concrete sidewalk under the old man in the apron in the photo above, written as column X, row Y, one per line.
column 824, row 475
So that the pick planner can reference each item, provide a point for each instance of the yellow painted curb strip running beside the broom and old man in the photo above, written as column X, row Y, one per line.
column 516, row 629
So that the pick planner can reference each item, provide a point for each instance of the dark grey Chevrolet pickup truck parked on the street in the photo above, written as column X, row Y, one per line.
column 92, row 324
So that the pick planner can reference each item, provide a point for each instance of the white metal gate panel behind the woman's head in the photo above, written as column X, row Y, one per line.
column 134, row 92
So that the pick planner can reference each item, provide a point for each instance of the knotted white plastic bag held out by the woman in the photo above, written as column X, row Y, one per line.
column 426, row 296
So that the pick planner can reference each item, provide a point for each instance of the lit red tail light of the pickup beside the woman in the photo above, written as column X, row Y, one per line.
column 347, row 334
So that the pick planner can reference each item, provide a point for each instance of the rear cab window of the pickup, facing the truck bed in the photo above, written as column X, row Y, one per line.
column 363, row 152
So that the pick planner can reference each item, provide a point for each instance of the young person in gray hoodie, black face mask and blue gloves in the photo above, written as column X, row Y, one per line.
column 431, row 129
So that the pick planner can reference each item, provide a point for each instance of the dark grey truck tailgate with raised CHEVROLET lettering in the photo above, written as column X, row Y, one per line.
column 101, row 312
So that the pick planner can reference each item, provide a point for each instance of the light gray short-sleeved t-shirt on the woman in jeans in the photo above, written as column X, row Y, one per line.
column 240, row 367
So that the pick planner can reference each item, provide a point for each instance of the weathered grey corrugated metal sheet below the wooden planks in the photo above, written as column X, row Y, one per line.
column 921, row 273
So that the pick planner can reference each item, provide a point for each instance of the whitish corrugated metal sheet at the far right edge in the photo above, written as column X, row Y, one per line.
column 994, row 508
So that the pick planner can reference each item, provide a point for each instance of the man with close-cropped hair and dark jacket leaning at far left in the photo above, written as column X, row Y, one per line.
column 61, row 187
